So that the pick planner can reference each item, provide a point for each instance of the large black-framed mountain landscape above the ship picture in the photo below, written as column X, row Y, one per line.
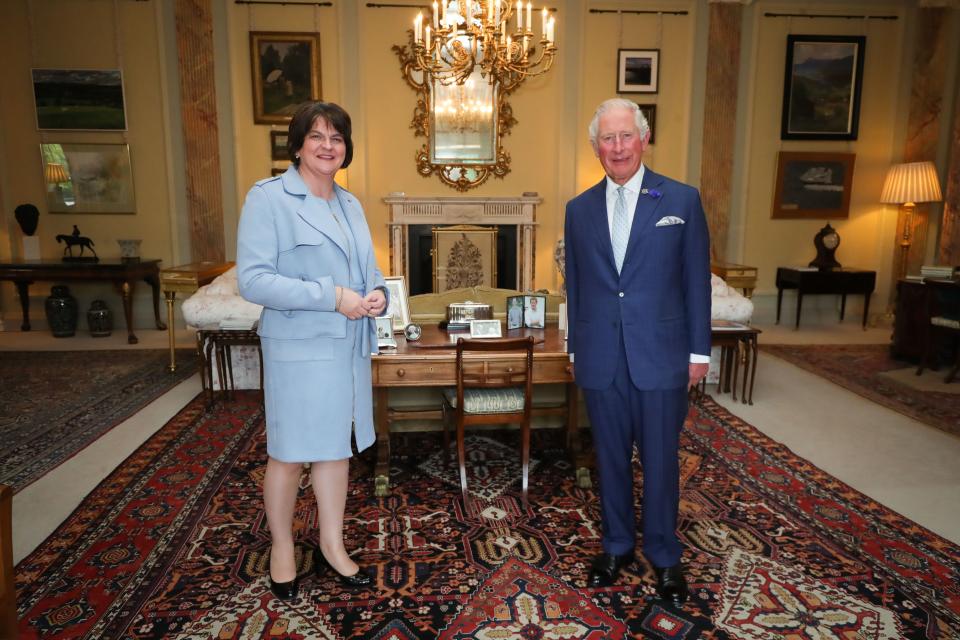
column 821, row 89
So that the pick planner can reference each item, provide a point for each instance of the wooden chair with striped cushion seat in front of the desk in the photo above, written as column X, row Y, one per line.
column 494, row 389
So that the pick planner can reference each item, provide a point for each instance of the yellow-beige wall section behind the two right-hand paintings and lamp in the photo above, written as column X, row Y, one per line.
column 768, row 243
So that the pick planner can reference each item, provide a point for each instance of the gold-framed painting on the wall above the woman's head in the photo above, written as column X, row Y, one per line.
column 286, row 73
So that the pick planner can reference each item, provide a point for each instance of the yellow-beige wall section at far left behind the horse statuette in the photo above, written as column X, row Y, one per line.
column 57, row 34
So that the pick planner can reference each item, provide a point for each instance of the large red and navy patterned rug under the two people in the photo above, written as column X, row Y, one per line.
column 174, row 545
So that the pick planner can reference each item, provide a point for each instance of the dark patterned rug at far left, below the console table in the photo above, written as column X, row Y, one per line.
column 55, row 403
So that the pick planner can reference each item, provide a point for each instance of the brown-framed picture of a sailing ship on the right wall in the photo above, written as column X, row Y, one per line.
column 813, row 186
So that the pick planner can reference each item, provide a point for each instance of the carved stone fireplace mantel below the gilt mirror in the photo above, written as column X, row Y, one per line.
column 520, row 211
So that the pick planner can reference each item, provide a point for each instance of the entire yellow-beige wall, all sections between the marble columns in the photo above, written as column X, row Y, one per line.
column 548, row 146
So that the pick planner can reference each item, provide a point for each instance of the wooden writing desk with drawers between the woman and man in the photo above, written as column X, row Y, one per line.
column 431, row 362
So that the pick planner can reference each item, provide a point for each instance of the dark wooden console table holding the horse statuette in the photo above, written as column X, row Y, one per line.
column 123, row 275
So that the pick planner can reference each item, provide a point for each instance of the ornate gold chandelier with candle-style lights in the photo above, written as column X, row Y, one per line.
column 494, row 36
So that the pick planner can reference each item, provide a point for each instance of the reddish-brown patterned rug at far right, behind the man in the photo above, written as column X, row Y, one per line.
column 859, row 368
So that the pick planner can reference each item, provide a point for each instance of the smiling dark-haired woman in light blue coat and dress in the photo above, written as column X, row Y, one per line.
column 304, row 252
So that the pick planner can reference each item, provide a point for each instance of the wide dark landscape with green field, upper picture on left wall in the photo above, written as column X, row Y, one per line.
column 79, row 99
